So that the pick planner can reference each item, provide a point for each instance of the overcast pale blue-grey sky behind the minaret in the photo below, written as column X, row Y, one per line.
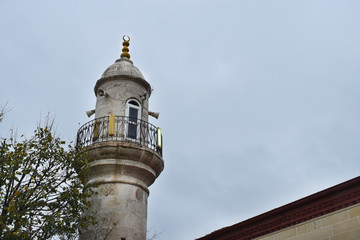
column 258, row 100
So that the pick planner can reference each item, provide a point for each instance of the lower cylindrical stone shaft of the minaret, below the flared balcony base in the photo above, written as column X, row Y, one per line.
column 119, row 211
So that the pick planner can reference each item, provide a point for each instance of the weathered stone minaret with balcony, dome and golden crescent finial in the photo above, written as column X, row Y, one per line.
column 124, row 152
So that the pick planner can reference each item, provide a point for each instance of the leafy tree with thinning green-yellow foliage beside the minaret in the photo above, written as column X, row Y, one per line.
column 42, row 194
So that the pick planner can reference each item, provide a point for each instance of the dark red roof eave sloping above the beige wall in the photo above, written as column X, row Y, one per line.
column 327, row 201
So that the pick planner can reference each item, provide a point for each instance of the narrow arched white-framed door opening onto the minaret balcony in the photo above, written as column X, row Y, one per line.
column 133, row 113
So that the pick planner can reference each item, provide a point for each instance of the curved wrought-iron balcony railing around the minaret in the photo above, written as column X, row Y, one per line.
column 120, row 129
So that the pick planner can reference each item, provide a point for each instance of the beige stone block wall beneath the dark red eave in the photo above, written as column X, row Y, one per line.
column 340, row 225
